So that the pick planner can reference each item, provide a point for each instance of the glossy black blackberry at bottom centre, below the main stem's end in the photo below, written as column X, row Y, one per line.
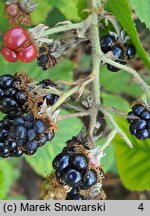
column 72, row 168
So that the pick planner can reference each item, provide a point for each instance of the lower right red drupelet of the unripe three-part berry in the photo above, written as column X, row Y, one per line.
column 28, row 54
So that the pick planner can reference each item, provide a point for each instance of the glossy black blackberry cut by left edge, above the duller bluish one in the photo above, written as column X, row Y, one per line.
column 12, row 99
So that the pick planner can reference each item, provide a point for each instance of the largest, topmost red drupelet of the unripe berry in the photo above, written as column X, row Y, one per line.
column 15, row 38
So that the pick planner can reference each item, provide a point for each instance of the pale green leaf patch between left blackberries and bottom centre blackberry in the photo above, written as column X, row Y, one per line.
column 42, row 161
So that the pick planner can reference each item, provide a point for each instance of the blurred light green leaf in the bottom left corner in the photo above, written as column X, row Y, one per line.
column 8, row 174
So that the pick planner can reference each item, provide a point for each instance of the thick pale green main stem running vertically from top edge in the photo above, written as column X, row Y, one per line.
column 96, row 59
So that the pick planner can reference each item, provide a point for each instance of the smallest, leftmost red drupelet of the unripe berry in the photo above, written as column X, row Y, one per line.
column 9, row 55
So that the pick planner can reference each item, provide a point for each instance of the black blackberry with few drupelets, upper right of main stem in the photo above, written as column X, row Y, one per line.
column 121, row 52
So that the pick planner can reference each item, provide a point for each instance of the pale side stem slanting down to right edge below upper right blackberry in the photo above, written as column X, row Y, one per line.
column 137, row 78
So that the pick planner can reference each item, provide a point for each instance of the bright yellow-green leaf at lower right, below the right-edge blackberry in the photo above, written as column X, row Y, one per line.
column 133, row 164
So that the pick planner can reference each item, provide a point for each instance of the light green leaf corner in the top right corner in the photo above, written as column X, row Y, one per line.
column 142, row 10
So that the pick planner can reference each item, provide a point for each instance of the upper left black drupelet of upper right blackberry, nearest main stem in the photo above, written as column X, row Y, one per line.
column 106, row 42
